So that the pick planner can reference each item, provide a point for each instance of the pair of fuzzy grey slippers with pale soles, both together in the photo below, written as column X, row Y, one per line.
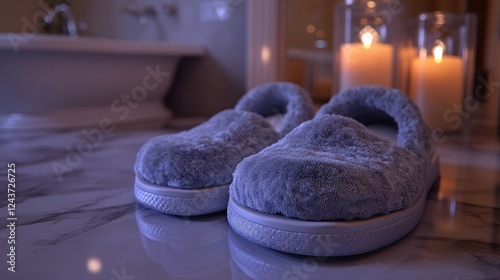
column 351, row 179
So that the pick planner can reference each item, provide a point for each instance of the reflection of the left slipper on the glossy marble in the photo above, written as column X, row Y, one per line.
column 186, row 247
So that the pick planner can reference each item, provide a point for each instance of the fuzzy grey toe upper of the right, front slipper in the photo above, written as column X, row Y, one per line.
column 331, row 168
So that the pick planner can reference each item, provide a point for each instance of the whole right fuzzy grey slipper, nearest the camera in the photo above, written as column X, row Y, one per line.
column 335, row 186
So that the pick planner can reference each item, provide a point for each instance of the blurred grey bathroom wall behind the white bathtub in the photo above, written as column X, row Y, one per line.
column 202, row 86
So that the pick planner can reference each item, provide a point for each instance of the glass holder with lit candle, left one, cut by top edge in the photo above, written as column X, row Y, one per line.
column 368, row 39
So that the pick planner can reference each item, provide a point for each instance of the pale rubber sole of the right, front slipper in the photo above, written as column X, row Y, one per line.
column 328, row 238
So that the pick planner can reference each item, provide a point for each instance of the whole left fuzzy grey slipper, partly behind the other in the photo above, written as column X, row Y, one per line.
column 189, row 173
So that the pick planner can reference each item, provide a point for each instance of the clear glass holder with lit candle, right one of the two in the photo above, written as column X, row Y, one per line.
column 442, row 67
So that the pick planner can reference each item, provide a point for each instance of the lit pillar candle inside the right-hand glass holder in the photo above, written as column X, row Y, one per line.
column 436, row 84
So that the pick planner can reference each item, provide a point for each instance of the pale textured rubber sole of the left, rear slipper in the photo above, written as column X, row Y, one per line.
column 181, row 202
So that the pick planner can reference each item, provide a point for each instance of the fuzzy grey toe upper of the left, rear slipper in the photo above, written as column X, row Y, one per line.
column 205, row 155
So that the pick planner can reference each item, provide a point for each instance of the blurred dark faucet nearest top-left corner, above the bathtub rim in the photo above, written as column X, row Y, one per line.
column 66, row 24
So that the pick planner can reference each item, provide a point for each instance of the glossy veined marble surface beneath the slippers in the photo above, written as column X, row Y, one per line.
column 77, row 219
